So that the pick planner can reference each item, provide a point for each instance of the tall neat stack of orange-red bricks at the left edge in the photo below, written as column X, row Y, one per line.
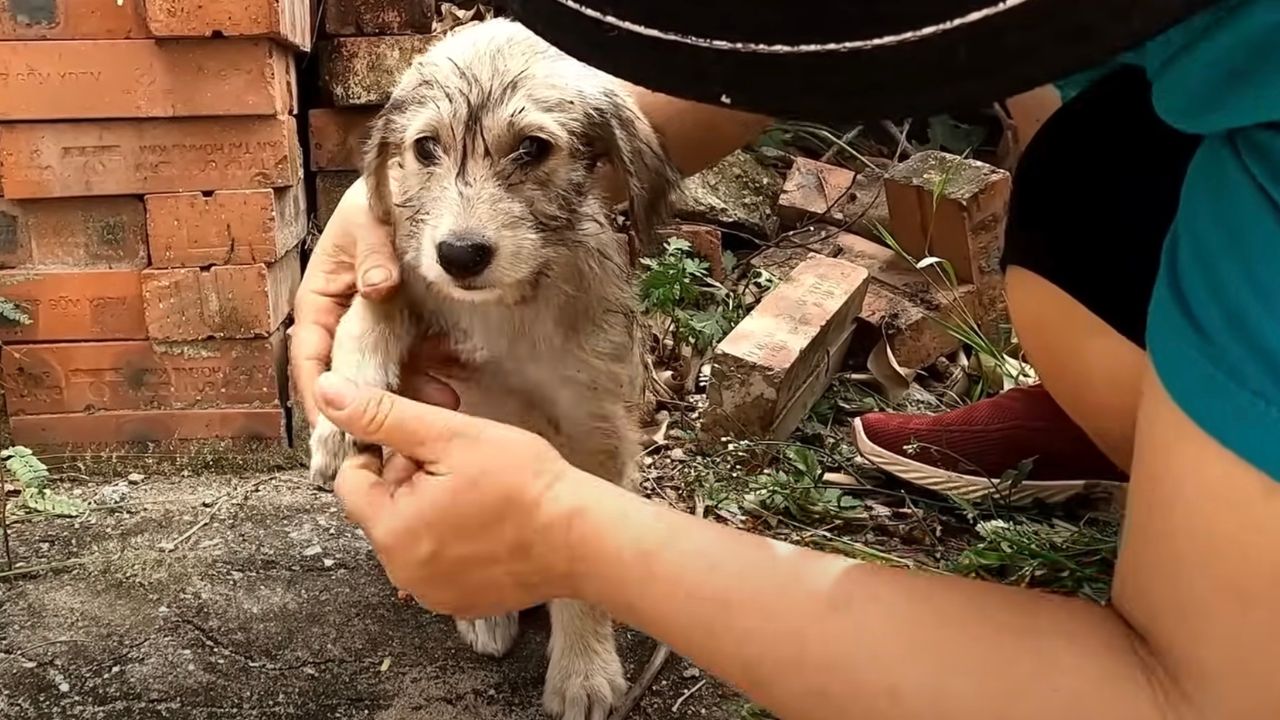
column 152, row 217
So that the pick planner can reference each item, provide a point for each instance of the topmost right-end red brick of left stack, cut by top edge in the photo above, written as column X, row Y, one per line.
column 287, row 21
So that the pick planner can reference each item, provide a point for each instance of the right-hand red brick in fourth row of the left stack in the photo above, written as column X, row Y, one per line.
column 232, row 227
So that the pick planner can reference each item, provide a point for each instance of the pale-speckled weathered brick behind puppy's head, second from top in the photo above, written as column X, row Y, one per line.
column 364, row 71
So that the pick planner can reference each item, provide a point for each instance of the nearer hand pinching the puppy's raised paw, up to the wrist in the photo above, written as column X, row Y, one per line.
column 470, row 517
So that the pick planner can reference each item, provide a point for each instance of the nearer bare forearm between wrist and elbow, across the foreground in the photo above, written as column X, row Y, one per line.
column 817, row 637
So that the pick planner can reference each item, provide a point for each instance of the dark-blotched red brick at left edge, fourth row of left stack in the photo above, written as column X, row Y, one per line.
column 100, row 233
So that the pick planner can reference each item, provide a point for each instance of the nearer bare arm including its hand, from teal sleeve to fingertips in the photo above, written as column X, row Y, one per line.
column 1194, row 632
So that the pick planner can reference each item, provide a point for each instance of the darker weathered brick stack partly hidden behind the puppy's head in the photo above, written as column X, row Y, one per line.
column 368, row 47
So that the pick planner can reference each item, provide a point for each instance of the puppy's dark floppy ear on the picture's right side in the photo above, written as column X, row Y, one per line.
column 637, row 153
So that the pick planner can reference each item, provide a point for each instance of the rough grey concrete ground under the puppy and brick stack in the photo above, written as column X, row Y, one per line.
column 272, row 610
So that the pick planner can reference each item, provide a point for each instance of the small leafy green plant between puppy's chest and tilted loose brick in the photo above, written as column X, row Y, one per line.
column 701, row 312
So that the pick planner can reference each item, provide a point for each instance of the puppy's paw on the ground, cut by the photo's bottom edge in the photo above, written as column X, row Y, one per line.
column 584, row 686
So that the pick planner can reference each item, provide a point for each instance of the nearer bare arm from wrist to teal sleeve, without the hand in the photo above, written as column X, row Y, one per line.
column 1194, row 632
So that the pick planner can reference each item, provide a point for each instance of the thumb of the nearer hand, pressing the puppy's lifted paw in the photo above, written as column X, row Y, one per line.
column 418, row 431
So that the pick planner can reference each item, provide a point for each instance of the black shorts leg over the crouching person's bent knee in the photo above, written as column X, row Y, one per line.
column 1095, row 195
